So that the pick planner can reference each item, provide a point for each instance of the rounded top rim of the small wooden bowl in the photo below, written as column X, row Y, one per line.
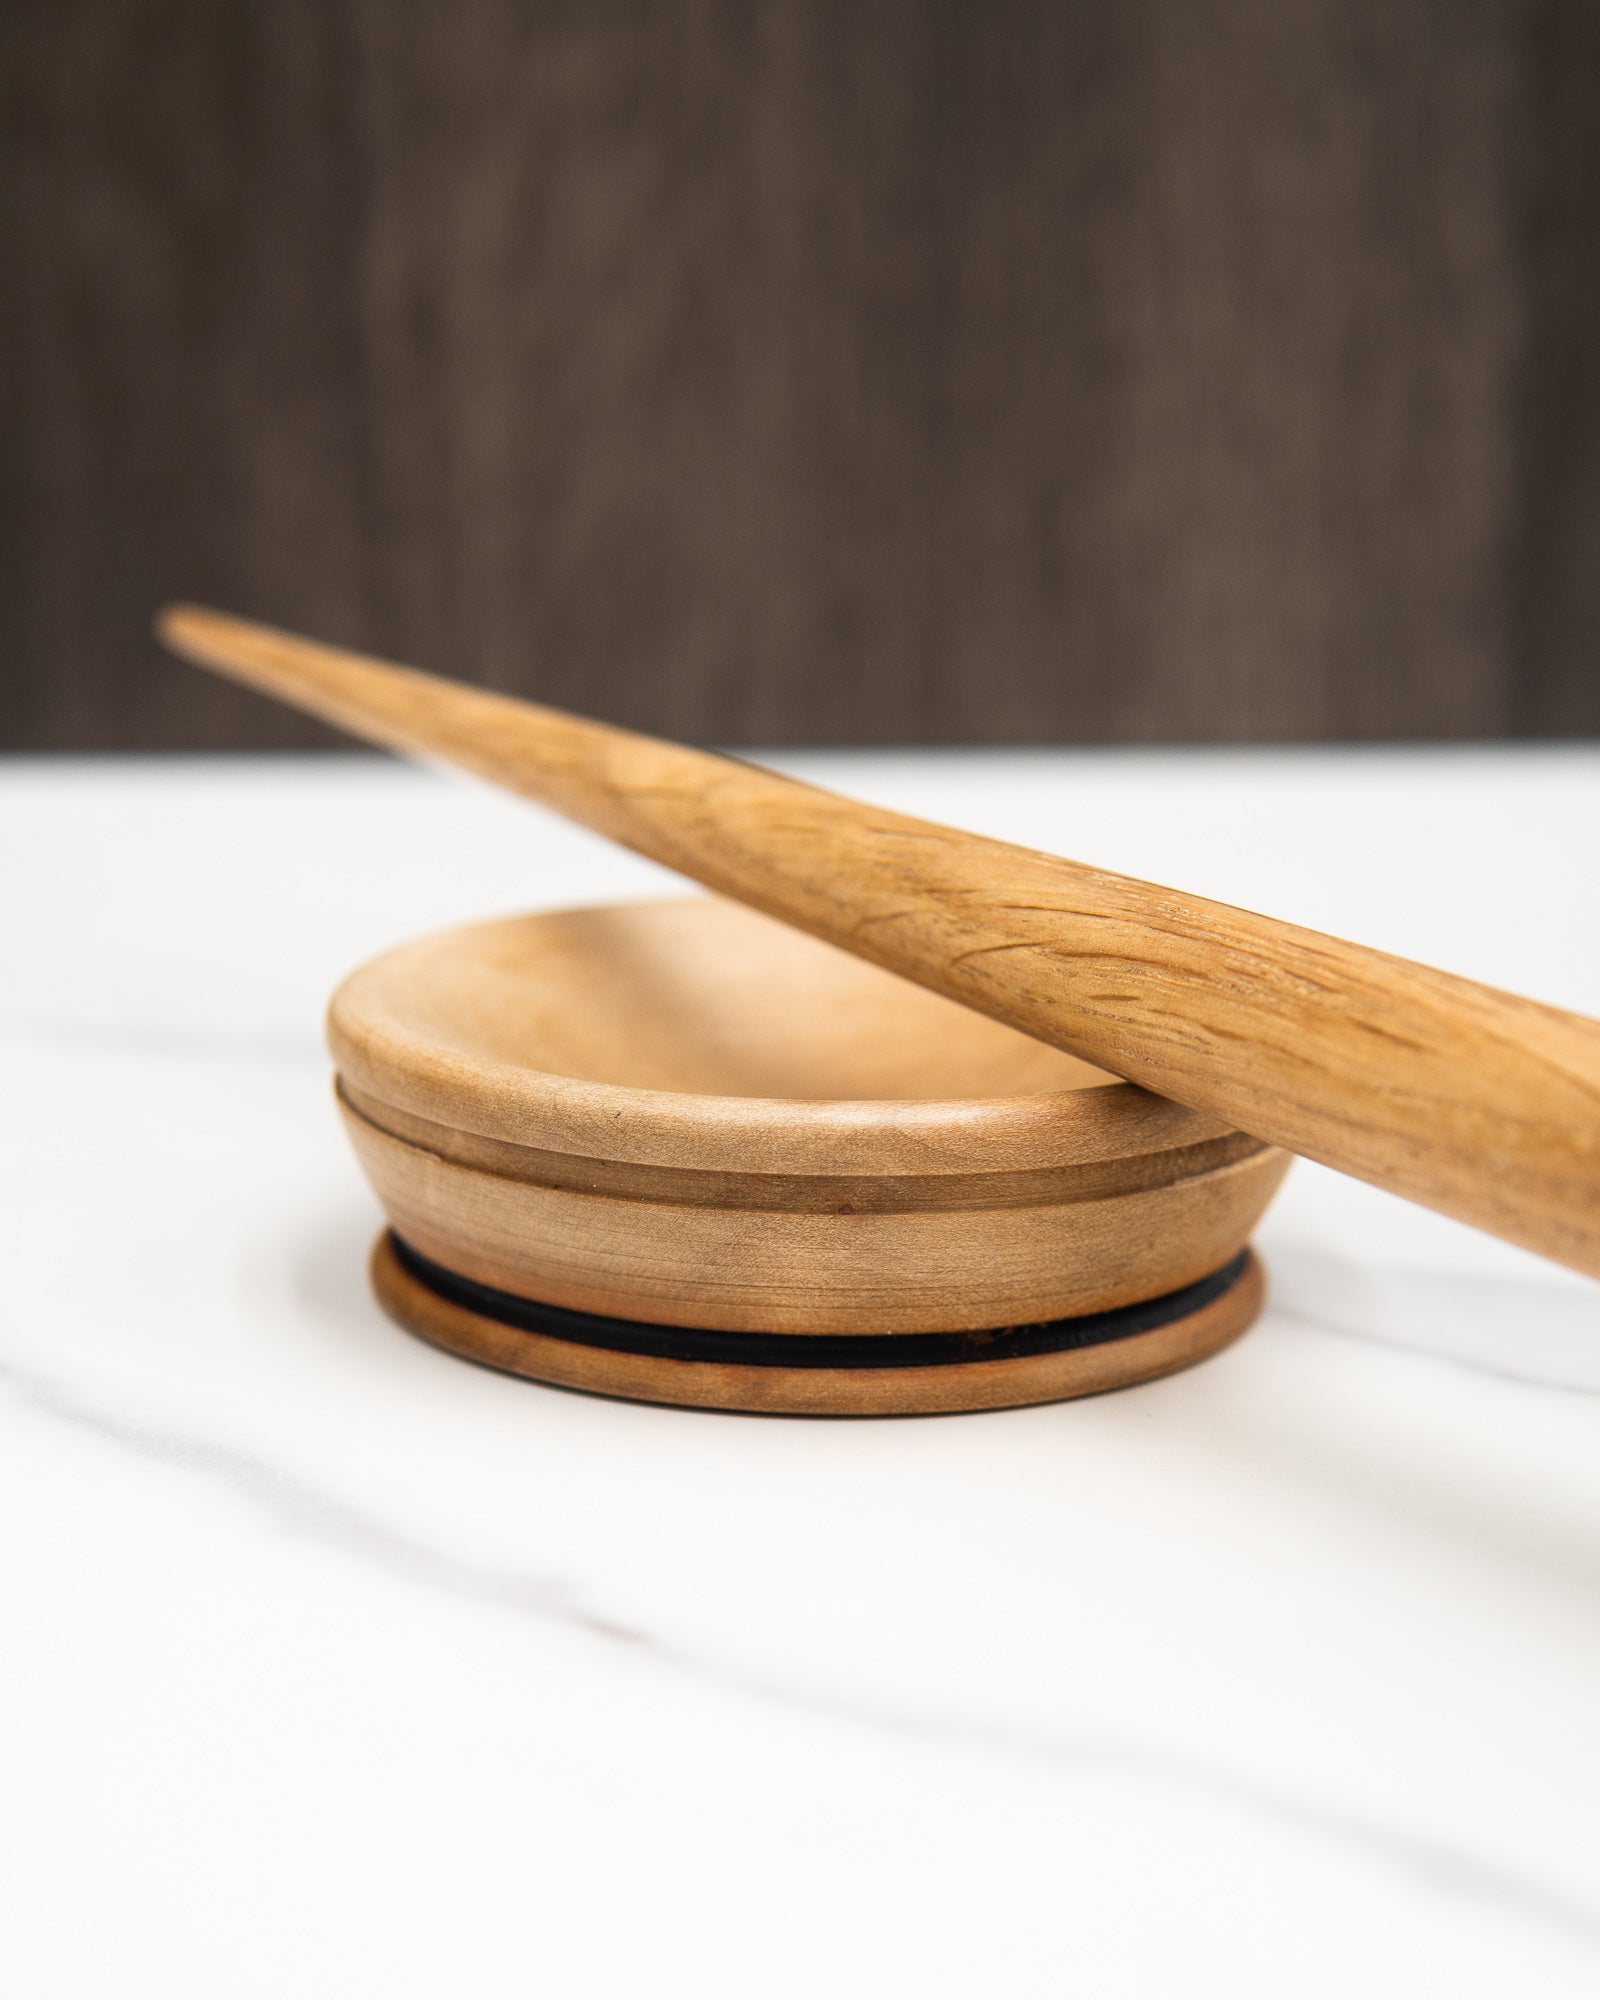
column 389, row 1061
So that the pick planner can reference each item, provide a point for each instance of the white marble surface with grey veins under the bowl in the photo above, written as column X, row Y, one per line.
column 339, row 1667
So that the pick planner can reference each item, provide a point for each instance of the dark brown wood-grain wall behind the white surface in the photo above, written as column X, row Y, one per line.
column 857, row 371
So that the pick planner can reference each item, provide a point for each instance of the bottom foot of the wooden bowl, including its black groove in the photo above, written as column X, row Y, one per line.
column 817, row 1375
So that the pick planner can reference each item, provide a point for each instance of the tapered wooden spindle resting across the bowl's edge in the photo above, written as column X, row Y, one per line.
column 1465, row 1099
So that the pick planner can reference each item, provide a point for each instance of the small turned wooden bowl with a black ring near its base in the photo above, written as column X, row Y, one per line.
column 683, row 1153
